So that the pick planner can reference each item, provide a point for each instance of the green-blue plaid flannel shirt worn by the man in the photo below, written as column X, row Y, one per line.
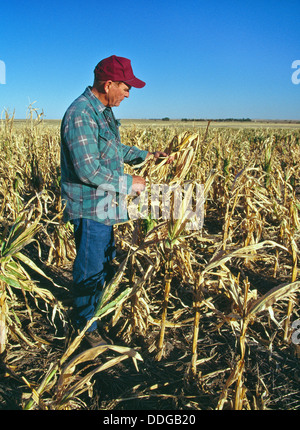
column 92, row 161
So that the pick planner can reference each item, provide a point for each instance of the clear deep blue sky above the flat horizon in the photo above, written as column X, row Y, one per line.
column 199, row 59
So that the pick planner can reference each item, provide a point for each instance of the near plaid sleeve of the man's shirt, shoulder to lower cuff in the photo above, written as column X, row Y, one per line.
column 81, row 138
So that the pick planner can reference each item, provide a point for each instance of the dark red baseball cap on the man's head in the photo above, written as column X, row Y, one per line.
column 117, row 69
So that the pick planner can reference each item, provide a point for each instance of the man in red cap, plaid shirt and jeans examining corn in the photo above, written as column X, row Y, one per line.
column 92, row 164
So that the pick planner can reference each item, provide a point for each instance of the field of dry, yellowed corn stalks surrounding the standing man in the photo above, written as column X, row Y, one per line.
column 201, row 318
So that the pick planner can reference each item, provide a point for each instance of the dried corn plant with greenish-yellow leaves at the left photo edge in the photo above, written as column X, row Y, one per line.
column 14, row 276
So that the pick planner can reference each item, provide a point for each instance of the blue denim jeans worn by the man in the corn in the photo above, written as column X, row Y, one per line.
column 95, row 249
